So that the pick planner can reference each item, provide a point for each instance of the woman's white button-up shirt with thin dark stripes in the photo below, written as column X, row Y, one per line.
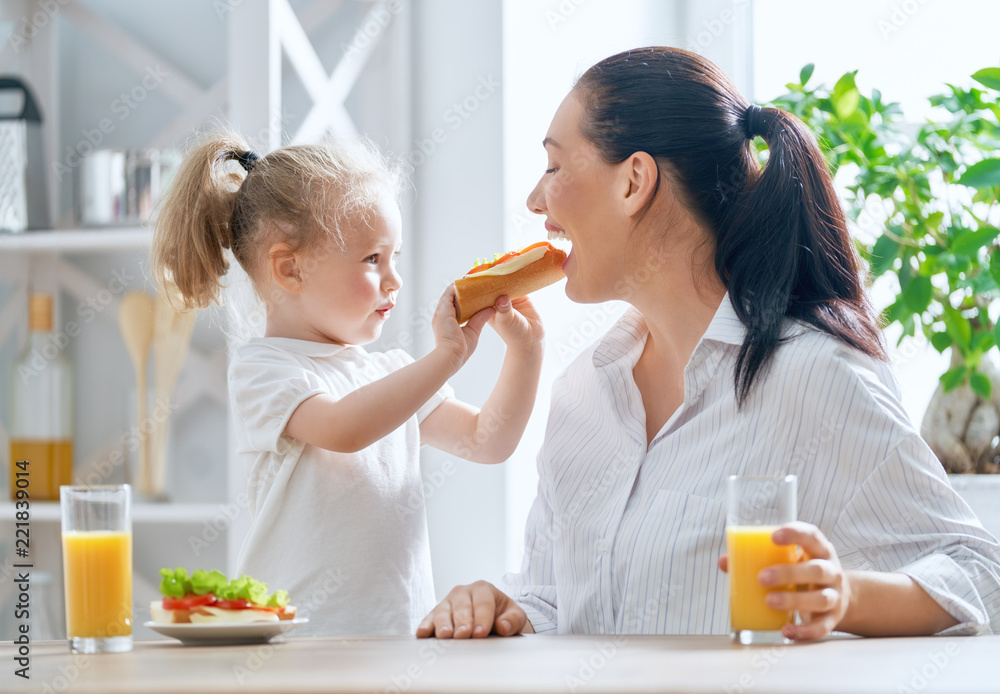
column 625, row 539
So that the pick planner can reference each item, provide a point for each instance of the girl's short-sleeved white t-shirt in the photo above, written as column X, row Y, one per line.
column 344, row 533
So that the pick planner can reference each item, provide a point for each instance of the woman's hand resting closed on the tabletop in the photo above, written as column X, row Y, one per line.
column 475, row 611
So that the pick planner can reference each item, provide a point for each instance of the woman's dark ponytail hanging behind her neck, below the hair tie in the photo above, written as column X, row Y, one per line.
column 784, row 250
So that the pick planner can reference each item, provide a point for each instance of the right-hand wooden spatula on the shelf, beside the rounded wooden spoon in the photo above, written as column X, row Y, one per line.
column 171, row 340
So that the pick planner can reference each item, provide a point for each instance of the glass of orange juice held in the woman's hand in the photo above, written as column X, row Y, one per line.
column 756, row 507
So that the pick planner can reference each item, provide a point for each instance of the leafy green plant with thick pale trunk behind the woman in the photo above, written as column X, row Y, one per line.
column 923, row 199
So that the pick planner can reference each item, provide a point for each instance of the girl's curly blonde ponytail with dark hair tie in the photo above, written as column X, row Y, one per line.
column 193, row 227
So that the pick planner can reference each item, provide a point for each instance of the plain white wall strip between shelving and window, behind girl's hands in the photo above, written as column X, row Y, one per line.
column 458, row 88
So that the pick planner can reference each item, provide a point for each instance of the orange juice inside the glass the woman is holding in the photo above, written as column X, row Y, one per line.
column 750, row 551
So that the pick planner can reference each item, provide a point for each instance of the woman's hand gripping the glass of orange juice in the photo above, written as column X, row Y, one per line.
column 824, row 604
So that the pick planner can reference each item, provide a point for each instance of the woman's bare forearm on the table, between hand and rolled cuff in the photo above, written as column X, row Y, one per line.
column 891, row 604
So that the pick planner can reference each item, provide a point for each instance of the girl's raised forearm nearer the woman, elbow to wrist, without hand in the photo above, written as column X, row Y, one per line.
column 501, row 421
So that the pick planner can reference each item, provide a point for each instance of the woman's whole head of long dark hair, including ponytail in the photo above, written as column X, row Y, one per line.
column 782, row 245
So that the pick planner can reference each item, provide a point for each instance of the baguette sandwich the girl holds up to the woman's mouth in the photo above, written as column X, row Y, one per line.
column 515, row 275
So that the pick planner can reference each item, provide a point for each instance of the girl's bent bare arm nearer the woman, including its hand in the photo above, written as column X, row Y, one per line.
column 490, row 435
